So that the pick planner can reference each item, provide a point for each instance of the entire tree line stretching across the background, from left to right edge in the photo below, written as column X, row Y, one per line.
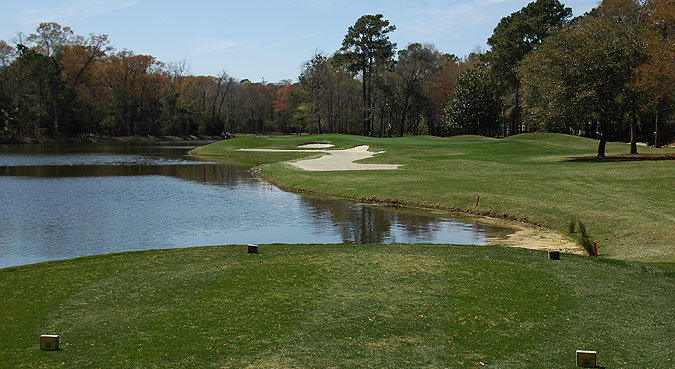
column 607, row 74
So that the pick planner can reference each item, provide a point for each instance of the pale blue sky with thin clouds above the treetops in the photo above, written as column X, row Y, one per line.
column 261, row 40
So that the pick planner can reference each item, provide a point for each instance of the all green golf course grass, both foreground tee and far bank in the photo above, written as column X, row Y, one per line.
column 383, row 306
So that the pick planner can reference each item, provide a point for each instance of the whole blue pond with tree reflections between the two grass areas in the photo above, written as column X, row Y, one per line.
column 64, row 201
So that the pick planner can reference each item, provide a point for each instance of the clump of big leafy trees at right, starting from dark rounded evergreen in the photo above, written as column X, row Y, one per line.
column 608, row 74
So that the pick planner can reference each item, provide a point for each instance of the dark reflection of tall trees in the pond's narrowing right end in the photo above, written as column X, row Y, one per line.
column 364, row 224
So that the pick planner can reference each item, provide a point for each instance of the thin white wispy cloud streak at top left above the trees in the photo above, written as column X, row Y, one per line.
column 70, row 9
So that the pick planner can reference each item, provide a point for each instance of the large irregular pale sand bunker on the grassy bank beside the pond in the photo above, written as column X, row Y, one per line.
column 336, row 160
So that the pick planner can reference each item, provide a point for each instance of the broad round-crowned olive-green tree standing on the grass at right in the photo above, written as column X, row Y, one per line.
column 583, row 73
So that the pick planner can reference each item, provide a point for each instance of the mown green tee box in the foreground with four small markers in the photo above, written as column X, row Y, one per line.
column 347, row 306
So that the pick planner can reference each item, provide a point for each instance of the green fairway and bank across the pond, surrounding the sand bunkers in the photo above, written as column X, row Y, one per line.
column 628, row 207
